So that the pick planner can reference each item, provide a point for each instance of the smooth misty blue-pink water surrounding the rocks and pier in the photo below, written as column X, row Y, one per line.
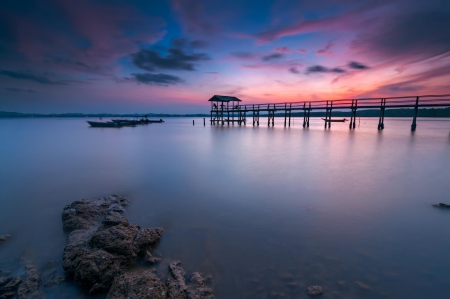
column 265, row 211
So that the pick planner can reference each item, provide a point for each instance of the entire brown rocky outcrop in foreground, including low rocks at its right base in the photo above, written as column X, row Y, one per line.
column 103, row 246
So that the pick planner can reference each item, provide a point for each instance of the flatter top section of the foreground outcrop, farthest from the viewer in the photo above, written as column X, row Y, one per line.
column 83, row 214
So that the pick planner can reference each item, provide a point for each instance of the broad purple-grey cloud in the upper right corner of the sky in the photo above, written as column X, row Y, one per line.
column 419, row 35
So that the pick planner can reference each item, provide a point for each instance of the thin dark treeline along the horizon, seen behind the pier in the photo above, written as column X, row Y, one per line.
column 424, row 112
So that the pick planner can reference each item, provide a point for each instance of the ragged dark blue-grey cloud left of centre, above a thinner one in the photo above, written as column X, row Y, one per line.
column 176, row 59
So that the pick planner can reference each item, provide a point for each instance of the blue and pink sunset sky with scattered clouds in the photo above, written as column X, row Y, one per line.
column 158, row 56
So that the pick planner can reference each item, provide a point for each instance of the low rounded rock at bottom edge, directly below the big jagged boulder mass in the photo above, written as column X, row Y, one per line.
column 141, row 284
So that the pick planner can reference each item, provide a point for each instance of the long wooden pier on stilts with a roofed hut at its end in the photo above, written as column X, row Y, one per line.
column 224, row 109
